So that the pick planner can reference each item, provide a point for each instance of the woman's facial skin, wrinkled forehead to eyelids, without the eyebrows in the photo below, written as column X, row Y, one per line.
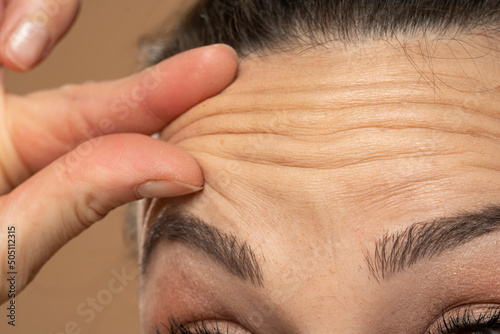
column 311, row 156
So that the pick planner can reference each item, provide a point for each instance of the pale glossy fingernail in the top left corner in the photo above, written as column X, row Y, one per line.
column 27, row 44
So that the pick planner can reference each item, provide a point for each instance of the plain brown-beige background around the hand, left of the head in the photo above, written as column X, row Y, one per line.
column 101, row 46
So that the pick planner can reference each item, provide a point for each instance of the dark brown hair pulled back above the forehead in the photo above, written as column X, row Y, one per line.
column 258, row 25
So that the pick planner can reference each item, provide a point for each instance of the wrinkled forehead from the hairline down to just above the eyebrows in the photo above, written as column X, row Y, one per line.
column 364, row 127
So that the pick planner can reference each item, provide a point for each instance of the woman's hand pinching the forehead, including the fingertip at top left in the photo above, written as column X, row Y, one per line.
column 71, row 155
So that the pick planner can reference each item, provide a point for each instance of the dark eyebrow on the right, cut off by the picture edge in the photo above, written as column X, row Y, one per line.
column 396, row 252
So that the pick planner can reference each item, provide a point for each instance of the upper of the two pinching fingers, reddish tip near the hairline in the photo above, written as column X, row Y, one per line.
column 48, row 124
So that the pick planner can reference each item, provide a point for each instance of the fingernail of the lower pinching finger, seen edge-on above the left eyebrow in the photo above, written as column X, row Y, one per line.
column 165, row 189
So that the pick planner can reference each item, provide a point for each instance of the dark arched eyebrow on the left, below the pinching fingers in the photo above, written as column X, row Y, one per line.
column 226, row 249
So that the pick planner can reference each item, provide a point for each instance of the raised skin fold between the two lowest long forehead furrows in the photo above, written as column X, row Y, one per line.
column 355, row 147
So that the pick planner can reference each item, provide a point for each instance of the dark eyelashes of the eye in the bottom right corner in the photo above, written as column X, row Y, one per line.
column 468, row 321
